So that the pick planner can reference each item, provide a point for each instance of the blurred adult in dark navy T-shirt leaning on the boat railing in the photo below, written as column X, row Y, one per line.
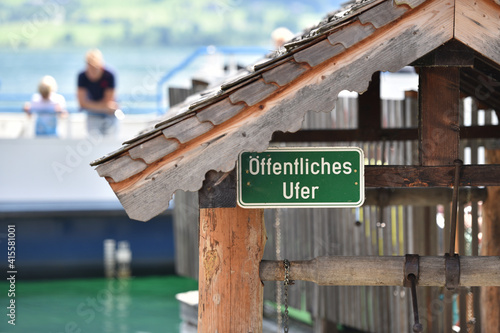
column 96, row 95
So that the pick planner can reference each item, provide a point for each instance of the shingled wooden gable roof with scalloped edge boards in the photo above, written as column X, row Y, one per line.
column 209, row 130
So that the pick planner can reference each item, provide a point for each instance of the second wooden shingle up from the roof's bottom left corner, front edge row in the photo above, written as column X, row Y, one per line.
column 154, row 149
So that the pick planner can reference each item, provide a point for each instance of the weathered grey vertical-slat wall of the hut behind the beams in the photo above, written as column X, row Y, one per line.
column 297, row 234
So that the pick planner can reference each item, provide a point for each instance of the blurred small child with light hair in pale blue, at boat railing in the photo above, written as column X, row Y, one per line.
column 47, row 105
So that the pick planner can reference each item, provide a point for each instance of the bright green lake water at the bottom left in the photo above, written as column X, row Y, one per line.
column 135, row 305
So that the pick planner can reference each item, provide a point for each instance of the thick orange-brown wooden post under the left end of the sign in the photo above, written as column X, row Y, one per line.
column 232, row 241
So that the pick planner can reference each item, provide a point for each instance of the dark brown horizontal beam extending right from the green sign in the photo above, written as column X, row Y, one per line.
column 416, row 176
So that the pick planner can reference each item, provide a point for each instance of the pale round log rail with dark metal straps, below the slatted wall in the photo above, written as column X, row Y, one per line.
column 382, row 271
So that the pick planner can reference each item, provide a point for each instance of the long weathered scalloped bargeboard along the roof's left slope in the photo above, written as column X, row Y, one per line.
column 427, row 27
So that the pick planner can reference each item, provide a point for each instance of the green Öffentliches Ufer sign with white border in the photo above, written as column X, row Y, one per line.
column 301, row 177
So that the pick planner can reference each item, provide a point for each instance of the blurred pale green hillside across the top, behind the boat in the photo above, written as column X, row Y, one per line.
column 54, row 23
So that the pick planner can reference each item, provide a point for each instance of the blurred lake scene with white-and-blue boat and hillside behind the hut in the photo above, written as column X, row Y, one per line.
column 81, row 264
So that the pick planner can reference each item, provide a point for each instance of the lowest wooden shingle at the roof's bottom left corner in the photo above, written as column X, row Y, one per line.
column 121, row 168
